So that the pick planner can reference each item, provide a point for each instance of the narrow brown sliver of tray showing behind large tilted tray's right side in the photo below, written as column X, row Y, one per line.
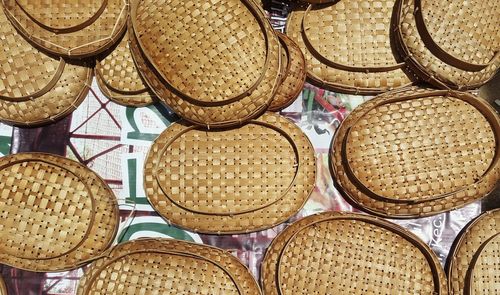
column 294, row 74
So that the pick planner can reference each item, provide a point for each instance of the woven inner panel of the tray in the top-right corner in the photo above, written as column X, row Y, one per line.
column 468, row 30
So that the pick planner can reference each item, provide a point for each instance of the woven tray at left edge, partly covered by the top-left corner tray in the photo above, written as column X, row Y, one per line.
column 35, row 88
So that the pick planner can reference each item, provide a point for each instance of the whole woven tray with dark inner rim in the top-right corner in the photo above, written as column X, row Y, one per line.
column 447, row 43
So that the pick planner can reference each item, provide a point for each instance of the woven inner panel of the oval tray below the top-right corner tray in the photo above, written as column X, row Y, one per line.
column 415, row 167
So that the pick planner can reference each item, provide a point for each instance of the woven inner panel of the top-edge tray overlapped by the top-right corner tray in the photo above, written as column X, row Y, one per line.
column 354, row 33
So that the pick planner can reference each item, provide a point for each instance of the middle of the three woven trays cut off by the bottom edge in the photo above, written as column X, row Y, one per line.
column 338, row 253
